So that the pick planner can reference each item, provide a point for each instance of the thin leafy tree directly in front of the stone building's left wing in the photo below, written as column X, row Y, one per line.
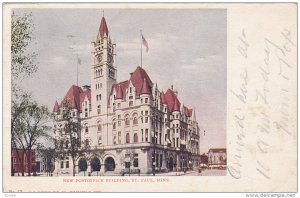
column 69, row 142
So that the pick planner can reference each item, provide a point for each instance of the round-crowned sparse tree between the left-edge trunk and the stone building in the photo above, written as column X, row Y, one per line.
column 29, row 126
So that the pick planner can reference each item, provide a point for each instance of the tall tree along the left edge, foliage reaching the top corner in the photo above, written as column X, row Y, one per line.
column 23, row 63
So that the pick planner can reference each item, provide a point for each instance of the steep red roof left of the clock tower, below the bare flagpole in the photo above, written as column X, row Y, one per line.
column 76, row 96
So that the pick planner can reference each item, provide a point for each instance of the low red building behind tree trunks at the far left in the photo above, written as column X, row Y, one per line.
column 20, row 162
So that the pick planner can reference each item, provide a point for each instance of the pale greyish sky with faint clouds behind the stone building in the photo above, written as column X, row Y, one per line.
column 187, row 49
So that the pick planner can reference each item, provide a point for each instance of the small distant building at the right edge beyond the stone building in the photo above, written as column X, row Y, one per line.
column 217, row 156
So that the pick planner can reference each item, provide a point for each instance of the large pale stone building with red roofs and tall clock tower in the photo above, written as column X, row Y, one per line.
column 135, row 125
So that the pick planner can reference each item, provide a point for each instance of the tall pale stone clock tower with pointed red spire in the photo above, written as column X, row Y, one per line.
column 103, row 70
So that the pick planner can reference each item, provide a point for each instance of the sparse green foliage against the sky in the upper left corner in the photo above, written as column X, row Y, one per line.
column 23, row 61
